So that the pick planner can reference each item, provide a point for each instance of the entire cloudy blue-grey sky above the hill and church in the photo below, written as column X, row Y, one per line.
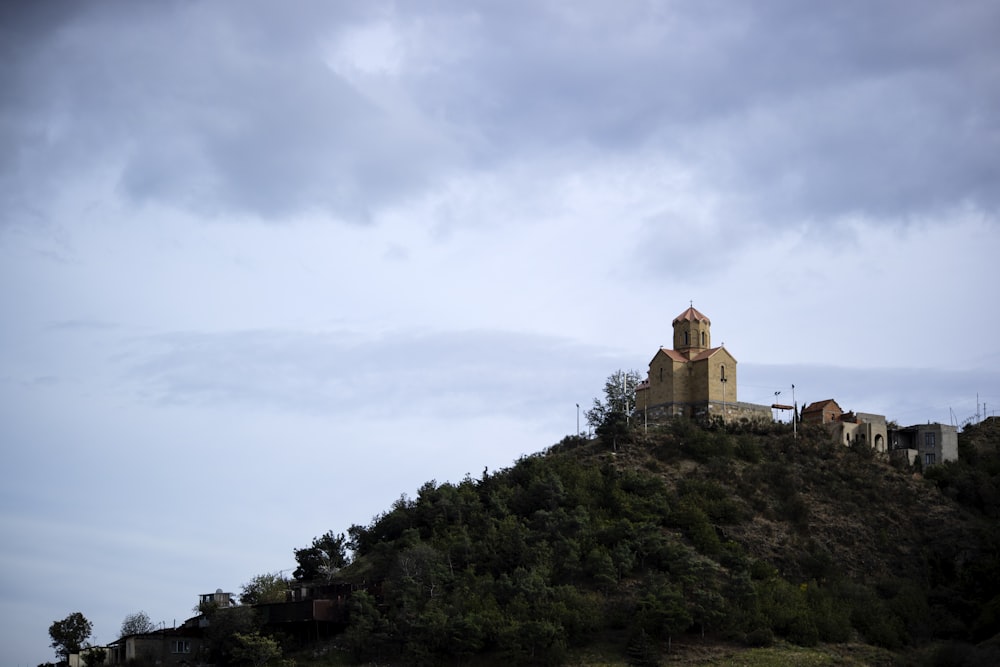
column 265, row 267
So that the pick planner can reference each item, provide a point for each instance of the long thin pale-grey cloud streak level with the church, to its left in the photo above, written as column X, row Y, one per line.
column 432, row 374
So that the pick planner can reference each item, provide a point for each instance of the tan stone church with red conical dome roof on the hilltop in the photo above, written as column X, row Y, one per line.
column 693, row 379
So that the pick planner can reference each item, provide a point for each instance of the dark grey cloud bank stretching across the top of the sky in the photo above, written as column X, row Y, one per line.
column 785, row 112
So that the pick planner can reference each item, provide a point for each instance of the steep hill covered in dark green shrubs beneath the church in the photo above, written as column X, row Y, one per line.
column 679, row 539
